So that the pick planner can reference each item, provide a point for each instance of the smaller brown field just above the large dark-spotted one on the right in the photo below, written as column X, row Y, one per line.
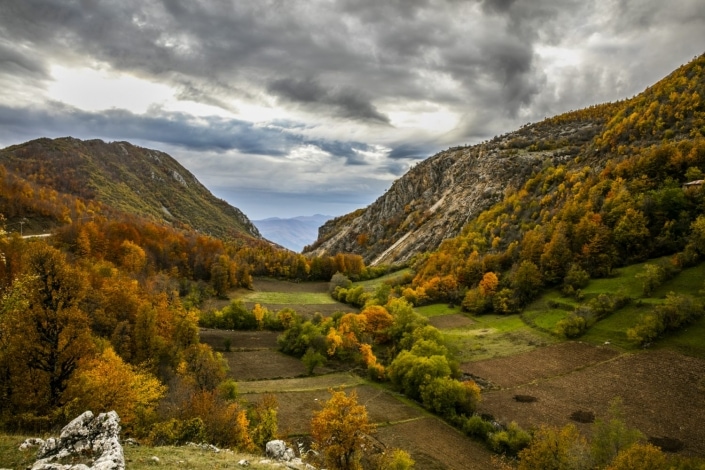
column 540, row 363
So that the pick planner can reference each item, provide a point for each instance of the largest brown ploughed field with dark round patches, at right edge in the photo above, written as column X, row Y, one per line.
column 660, row 391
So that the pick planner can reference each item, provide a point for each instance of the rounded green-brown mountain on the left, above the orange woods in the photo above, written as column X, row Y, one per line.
column 128, row 179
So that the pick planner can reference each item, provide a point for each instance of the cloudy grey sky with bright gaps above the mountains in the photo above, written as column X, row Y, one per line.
column 292, row 107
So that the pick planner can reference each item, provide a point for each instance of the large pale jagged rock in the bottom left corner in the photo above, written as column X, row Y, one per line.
column 85, row 435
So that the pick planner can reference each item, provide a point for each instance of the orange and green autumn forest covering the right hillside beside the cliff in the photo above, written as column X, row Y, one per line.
column 632, row 194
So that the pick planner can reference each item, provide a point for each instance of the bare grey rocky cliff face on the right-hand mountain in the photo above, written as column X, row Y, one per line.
column 437, row 197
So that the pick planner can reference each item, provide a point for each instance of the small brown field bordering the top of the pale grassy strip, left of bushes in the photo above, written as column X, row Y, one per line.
column 263, row 364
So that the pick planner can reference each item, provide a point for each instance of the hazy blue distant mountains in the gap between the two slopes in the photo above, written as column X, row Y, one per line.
column 294, row 233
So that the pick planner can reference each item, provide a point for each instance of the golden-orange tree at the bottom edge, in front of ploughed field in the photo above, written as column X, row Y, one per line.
column 339, row 431
